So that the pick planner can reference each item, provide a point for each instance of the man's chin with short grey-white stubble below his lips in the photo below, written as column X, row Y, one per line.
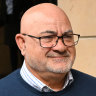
column 60, row 65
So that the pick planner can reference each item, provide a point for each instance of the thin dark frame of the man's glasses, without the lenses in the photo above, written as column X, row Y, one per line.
column 62, row 37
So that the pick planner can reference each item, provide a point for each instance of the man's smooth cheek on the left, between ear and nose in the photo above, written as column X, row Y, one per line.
column 35, row 51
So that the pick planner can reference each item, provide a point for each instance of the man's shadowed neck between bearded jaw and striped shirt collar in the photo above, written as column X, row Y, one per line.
column 53, row 80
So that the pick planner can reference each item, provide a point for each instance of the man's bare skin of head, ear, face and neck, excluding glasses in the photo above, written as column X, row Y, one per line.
column 50, row 65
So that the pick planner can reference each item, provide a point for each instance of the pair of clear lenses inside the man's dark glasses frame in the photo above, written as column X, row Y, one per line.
column 51, row 41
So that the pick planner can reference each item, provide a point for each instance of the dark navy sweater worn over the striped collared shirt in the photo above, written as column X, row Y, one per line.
column 14, row 85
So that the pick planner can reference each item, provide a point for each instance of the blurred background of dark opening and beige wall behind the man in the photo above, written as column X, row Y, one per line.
column 82, row 14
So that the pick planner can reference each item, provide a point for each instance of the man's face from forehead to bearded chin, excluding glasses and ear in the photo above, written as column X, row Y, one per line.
column 58, row 59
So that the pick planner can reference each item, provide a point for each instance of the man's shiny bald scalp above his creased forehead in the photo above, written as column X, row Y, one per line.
column 42, row 13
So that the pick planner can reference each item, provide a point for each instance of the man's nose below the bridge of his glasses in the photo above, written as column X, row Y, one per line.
column 60, row 46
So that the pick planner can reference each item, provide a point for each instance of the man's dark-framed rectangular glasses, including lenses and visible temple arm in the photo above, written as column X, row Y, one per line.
column 52, row 40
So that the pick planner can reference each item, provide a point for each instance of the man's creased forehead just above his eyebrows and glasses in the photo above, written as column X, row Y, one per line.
column 59, row 27
